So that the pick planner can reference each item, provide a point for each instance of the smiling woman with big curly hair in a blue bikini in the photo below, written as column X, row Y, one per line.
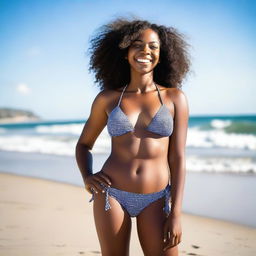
column 139, row 67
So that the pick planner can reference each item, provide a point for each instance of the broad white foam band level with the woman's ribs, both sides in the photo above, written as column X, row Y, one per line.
column 50, row 142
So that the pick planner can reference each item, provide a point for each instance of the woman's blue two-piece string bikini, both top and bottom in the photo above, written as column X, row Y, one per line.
column 119, row 124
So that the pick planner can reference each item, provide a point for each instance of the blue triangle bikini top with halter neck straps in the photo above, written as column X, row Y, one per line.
column 118, row 122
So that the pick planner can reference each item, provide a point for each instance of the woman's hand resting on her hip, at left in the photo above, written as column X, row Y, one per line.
column 94, row 182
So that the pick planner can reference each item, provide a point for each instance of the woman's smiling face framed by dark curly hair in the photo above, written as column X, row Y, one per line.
column 144, row 52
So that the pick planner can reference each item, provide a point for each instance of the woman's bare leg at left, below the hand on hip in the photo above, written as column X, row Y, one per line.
column 113, row 227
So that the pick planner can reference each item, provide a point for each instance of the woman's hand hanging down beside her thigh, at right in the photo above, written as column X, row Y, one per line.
column 172, row 231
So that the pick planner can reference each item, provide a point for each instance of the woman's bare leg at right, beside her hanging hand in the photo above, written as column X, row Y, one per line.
column 150, row 226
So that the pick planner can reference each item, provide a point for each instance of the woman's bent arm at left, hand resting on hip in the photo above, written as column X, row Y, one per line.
column 92, row 128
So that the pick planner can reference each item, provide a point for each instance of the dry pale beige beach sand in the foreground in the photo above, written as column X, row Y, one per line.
column 41, row 217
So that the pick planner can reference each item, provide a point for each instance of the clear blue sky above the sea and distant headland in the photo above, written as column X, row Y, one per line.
column 44, row 65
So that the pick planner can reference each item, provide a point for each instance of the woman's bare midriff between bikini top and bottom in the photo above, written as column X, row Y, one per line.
column 138, row 165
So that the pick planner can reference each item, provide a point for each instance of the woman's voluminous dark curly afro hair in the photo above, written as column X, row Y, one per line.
column 110, row 45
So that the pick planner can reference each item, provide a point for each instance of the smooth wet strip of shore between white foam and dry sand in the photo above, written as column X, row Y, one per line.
column 214, row 195
